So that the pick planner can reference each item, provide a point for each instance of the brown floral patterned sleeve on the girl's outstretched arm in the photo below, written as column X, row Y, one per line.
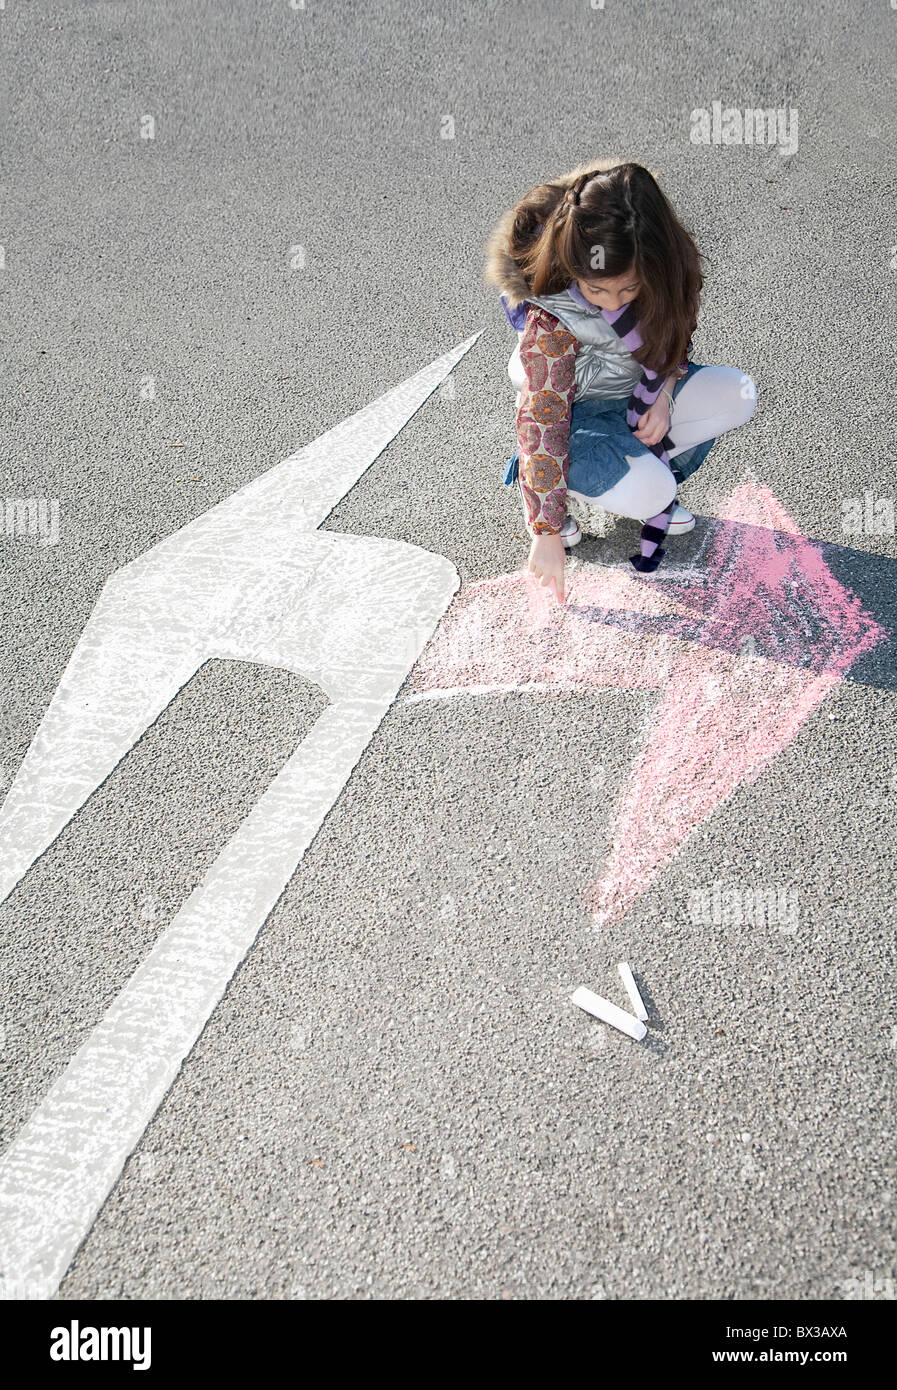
column 547, row 352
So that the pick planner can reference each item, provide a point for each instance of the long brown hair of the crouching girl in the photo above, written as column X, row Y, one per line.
column 556, row 238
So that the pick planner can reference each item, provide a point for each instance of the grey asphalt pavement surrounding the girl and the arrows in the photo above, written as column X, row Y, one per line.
column 229, row 227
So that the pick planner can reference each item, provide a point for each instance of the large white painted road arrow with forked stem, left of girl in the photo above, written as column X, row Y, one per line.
column 251, row 580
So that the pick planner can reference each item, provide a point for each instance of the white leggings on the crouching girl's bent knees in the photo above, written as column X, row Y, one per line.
column 711, row 402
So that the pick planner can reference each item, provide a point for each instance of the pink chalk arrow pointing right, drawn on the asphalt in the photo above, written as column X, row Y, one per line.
column 743, row 654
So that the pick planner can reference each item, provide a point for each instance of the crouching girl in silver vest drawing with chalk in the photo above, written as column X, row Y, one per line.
column 603, row 284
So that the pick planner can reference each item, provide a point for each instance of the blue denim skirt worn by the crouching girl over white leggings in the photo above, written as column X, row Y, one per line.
column 600, row 444
